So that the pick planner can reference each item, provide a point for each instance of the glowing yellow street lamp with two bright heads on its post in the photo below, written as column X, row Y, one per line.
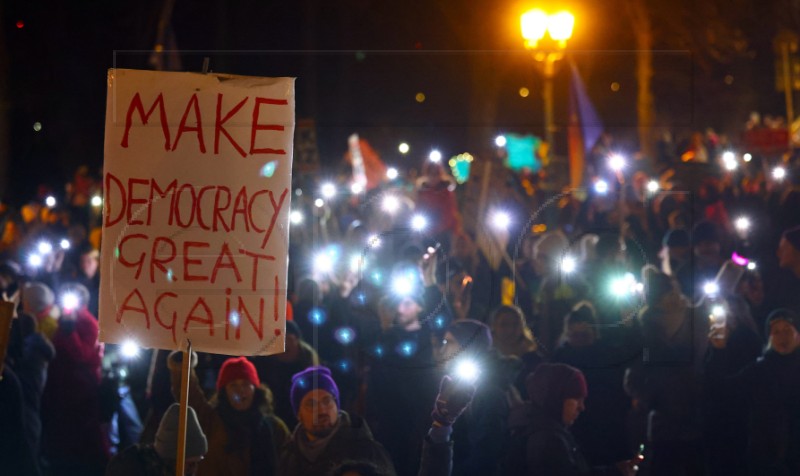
column 535, row 24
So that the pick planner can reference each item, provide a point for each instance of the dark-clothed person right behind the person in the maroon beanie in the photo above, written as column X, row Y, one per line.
column 601, row 431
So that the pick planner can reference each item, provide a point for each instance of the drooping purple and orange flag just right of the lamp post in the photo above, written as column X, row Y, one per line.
column 584, row 127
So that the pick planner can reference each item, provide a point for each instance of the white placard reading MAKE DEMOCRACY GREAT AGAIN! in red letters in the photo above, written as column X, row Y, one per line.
column 195, row 227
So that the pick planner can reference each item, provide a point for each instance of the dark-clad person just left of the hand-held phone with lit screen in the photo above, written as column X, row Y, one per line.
column 665, row 383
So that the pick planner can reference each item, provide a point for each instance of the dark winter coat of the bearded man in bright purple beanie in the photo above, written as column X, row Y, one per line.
column 352, row 441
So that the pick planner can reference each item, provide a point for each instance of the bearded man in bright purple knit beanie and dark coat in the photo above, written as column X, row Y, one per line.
column 326, row 436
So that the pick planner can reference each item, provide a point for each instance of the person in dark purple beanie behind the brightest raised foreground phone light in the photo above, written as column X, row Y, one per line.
column 480, row 435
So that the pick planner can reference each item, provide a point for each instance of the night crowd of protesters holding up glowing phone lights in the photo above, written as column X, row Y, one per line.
column 646, row 322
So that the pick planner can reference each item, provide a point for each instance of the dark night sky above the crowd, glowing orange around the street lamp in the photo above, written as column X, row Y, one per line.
column 360, row 63
